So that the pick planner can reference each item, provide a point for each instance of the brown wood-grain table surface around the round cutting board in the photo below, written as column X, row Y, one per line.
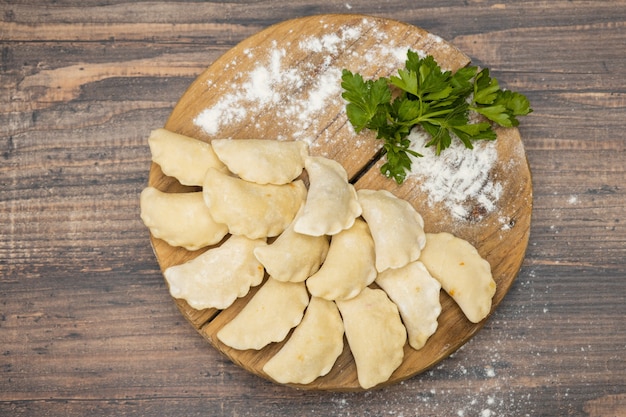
column 87, row 327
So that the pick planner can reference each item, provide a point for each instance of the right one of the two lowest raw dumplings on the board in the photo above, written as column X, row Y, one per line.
column 375, row 334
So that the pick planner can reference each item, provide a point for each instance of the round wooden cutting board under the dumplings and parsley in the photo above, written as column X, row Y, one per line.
column 284, row 83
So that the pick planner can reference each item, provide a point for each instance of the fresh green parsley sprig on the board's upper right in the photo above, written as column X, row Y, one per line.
column 439, row 101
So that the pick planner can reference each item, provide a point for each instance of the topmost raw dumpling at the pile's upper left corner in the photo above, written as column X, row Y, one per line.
column 184, row 158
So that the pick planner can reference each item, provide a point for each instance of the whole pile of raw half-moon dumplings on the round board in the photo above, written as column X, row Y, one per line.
column 322, row 246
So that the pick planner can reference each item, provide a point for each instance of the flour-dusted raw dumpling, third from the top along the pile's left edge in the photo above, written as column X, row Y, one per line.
column 216, row 278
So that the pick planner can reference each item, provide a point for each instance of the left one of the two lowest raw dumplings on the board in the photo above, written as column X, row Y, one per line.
column 312, row 349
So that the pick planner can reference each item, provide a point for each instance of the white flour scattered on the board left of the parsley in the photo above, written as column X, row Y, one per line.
column 272, row 86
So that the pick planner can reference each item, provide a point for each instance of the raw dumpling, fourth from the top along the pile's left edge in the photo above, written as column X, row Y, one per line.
column 268, row 317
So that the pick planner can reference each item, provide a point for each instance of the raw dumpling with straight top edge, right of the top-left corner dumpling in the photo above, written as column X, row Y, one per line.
column 262, row 161
